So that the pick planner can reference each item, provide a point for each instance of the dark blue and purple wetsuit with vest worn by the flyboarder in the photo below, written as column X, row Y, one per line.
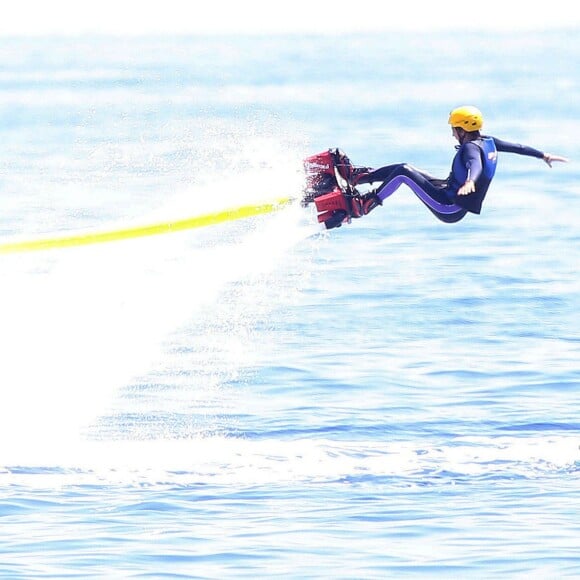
column 475, row 160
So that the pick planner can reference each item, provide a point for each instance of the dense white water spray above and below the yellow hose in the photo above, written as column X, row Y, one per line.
column 80, row 323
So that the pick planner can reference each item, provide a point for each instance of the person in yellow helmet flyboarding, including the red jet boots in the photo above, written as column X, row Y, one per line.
column 449, row 199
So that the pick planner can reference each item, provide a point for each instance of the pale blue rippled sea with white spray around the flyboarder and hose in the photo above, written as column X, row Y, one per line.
column 396, row 398
